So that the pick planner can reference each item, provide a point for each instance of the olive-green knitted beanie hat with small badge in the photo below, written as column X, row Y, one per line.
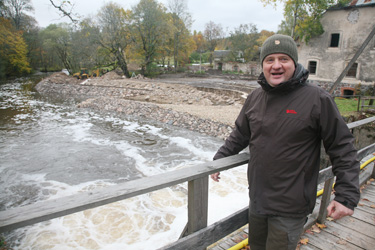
column 279, row 44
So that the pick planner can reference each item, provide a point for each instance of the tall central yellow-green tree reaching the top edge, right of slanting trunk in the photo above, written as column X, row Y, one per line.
column 150, row 27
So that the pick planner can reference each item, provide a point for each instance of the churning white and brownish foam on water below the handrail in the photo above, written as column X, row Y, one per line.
column 145, row 222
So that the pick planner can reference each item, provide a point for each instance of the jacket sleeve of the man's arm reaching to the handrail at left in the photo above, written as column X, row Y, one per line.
column 239, row 138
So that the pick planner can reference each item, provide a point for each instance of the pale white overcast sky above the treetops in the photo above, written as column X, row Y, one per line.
column 229, row 13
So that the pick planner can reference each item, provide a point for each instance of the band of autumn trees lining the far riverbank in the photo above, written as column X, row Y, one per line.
column 149, row 37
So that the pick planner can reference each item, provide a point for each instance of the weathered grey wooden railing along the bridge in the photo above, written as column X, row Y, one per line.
column 197, row 234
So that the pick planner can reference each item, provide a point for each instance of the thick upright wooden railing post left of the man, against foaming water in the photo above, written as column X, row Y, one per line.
column 197, row 204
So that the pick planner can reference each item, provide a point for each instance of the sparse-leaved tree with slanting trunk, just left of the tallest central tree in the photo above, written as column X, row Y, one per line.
column 115, row 36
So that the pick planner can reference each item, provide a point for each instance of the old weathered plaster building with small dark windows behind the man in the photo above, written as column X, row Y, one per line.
column 326, row 56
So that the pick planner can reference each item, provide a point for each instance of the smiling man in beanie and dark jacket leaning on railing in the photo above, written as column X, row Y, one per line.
column 283, row 123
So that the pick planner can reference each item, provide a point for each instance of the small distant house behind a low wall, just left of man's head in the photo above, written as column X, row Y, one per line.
column 227, row 60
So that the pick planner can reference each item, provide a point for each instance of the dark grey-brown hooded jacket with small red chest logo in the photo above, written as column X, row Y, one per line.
column 284, row 127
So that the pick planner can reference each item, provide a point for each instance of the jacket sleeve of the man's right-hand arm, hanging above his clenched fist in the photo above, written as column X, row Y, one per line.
column 338, row 143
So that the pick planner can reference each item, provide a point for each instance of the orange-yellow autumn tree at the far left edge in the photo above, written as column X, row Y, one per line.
column 13, row 50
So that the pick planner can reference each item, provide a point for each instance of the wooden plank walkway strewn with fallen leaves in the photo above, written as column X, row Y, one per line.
column 353, row 232
